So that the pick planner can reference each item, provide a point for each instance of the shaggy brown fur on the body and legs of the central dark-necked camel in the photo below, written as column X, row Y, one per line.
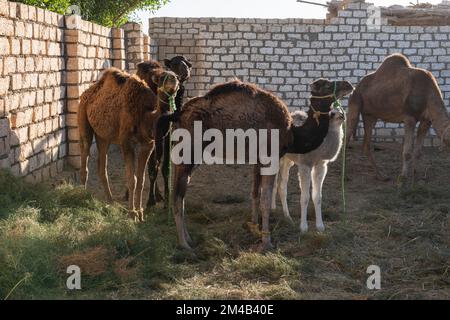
column 236, row 105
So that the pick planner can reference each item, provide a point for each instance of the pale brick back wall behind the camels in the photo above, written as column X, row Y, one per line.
column 285, row 55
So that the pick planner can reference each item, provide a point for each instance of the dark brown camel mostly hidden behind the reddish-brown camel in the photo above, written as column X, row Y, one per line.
column 182, row 68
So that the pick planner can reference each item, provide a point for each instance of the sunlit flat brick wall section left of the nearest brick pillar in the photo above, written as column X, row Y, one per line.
column 33, row 140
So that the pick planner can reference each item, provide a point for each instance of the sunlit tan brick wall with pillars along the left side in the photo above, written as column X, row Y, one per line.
column 47, row 60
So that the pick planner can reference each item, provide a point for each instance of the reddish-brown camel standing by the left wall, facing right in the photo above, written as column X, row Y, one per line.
column 122, row 109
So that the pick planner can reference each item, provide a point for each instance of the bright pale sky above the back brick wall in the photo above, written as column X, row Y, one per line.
column 252, row 8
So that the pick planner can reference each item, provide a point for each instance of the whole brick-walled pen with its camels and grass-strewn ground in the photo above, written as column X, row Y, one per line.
column 397, row 216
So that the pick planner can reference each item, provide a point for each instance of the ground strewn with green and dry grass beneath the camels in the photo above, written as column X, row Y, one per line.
column 405, row 232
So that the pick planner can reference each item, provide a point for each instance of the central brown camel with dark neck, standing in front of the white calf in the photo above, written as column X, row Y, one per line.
column 237, row 105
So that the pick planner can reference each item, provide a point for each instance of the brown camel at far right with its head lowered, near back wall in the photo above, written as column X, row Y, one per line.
column 399, row 93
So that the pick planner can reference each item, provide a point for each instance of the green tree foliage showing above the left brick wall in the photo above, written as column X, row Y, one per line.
column 110, row 13
